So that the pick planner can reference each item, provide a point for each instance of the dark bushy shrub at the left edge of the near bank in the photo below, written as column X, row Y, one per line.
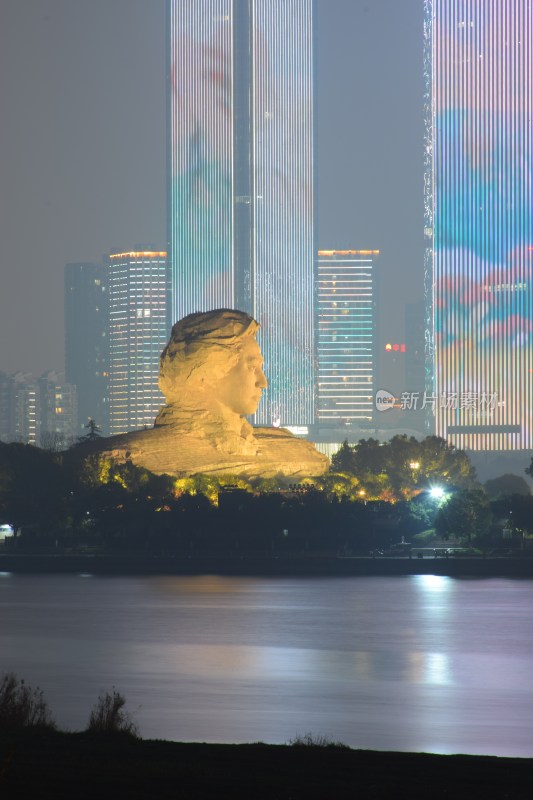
column 21, row 706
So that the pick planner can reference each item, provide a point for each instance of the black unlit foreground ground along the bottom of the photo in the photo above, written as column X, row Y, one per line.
column 79, row 766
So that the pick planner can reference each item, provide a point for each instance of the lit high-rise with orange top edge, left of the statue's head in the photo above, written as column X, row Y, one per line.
column 138, row 294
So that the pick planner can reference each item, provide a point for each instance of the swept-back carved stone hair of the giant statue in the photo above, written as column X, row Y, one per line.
column 203, row 347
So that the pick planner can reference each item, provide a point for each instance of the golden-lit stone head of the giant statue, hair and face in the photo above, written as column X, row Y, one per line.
column 213, row 358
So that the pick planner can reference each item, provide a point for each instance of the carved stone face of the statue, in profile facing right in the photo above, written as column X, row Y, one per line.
column 240, row 389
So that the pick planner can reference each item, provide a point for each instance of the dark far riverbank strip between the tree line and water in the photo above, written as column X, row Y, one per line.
column 269, row 566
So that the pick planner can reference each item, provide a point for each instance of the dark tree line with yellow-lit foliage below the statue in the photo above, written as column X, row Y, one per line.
column 373, row 496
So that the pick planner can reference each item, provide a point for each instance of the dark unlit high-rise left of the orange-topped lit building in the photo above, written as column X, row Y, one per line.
column 86, row 352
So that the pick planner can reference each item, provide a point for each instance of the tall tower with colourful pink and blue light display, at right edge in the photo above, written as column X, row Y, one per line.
column 479, row 221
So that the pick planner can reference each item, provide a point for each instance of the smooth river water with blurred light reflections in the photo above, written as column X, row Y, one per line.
column 418, row 663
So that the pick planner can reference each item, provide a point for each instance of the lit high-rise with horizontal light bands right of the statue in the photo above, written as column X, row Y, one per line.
column 346, row 337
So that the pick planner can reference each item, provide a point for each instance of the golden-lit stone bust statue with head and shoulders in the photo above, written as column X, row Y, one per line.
column 211, row 374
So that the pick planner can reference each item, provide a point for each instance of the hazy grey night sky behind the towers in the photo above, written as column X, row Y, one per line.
column 82, row 166
